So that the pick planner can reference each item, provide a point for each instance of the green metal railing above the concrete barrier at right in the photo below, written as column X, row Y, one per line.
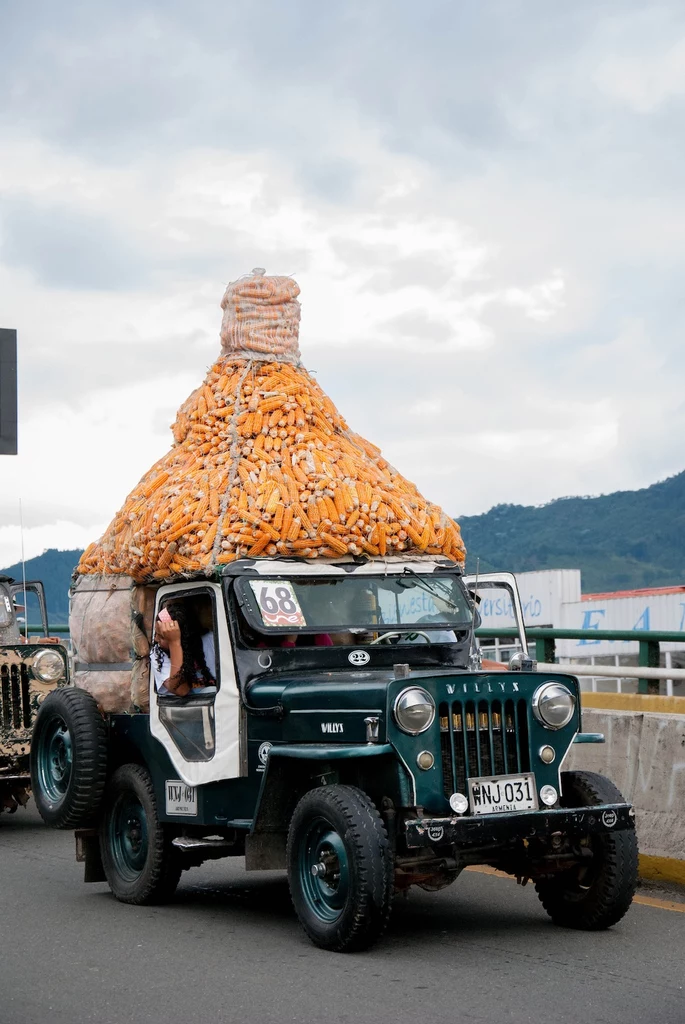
column 546, row 638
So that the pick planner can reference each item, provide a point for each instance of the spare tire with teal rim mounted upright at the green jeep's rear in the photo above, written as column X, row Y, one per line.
column 69, row 759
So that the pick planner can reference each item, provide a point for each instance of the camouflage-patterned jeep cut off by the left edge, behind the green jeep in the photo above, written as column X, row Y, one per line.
column 29, row 671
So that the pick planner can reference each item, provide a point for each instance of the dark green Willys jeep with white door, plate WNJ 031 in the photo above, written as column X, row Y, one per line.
column 353, row 740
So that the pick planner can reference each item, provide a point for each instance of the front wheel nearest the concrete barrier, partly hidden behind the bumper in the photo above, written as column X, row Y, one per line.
column 595, row 898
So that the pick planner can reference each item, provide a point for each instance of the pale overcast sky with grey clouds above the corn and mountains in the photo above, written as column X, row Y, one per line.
column 483, row 204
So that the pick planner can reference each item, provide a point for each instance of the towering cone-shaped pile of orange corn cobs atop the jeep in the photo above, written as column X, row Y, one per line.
column 264, row 464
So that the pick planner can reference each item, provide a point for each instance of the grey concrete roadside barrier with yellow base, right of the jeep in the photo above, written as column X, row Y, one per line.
column 645, row 756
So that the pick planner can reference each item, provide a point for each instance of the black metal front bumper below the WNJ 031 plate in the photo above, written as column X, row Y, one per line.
column 491, row 830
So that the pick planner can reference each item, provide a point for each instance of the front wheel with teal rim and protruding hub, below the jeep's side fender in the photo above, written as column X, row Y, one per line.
column 348, row 908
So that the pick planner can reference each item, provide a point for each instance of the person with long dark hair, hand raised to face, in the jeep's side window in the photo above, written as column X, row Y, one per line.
column 183, row 655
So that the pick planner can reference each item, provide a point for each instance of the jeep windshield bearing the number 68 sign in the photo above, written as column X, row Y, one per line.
column 350, row 608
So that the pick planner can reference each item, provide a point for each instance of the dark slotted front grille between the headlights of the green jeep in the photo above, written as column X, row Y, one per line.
column 479, row 739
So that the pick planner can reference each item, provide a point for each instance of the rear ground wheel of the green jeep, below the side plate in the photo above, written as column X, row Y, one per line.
column 141, row 865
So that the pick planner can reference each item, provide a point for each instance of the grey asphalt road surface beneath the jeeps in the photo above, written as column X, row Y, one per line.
column 230, row 949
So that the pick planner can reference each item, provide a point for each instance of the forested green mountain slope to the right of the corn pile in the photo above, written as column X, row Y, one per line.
column 624, row 541
